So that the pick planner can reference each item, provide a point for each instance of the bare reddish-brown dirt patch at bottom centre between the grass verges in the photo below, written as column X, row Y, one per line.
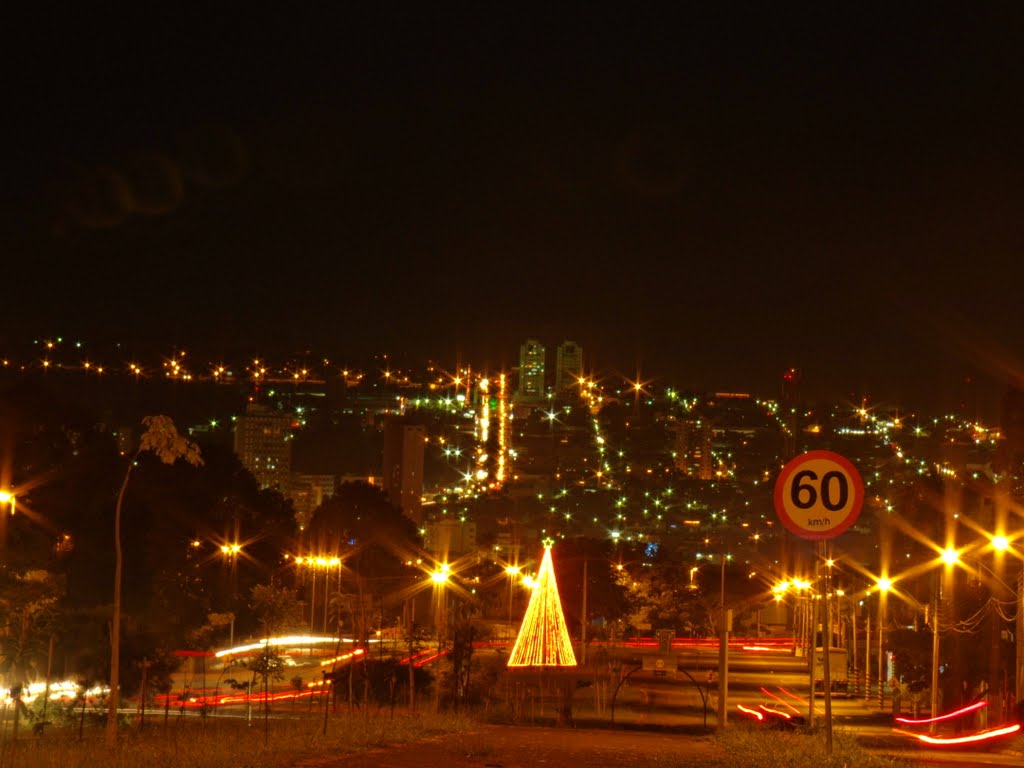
column 532, row 747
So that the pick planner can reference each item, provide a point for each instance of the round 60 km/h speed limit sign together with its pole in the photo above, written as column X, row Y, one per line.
column 820, row 495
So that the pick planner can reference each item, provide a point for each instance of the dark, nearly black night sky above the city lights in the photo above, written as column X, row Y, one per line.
column 712, row 196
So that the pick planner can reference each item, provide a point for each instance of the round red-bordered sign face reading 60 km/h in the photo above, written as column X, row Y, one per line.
column 819, row 495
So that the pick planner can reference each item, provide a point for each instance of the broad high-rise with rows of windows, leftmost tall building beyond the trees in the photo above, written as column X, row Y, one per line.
column 264, row 445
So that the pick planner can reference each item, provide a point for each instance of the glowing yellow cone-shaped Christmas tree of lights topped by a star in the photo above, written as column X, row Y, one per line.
column 544, row 639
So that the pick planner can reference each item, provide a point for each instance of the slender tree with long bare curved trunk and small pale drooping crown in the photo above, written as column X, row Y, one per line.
column 162, row 439
